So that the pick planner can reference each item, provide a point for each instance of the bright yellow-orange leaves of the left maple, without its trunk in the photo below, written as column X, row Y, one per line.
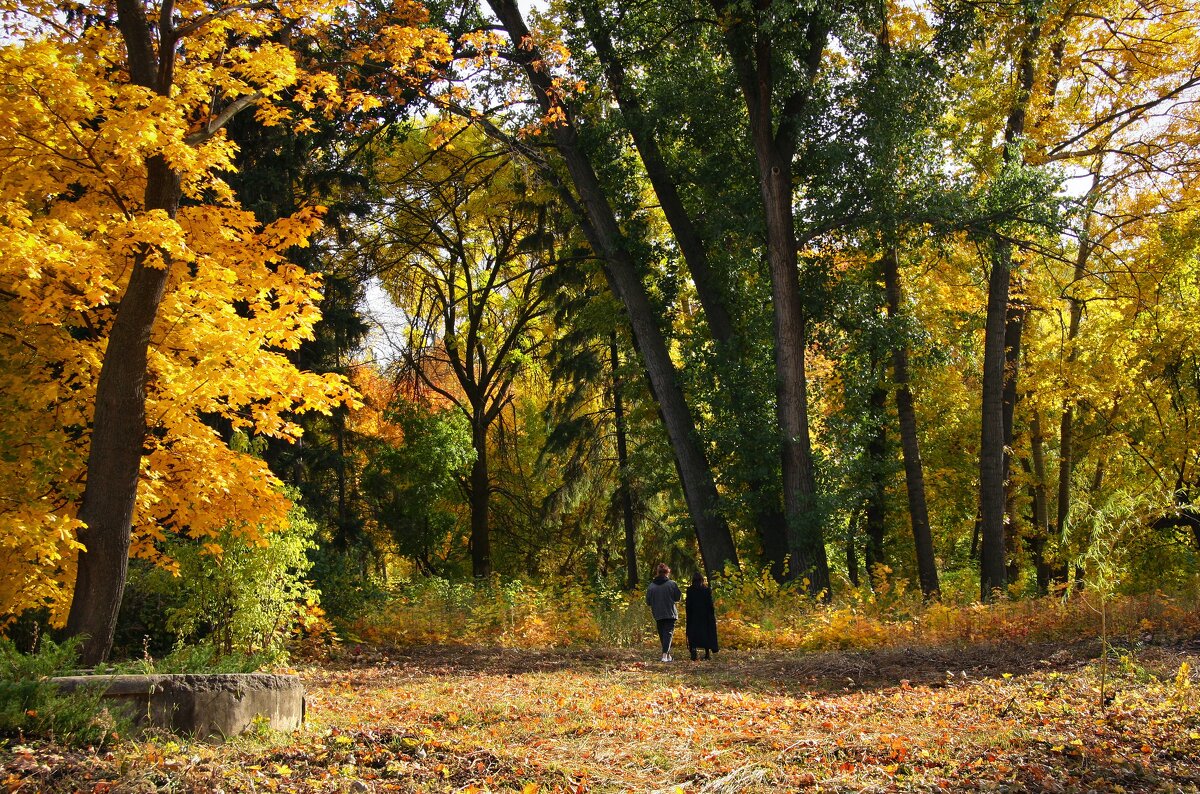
column 75, row 142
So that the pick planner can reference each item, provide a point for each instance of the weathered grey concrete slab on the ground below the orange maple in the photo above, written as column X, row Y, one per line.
column 207, row 707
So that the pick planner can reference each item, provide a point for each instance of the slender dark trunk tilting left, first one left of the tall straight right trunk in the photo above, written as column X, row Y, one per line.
column 910, row 446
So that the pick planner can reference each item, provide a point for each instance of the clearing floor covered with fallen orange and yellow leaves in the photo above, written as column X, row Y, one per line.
column 1011, row 718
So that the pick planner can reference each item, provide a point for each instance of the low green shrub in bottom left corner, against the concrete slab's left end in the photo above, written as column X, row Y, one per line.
column 31, row 706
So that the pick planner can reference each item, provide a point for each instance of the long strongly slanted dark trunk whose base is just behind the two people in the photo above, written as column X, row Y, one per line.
column 603, row 232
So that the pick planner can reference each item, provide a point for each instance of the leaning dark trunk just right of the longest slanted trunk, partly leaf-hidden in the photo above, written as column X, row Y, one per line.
column 765, row 500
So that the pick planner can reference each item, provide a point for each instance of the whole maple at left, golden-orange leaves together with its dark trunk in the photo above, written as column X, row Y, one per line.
column 134, row 270
